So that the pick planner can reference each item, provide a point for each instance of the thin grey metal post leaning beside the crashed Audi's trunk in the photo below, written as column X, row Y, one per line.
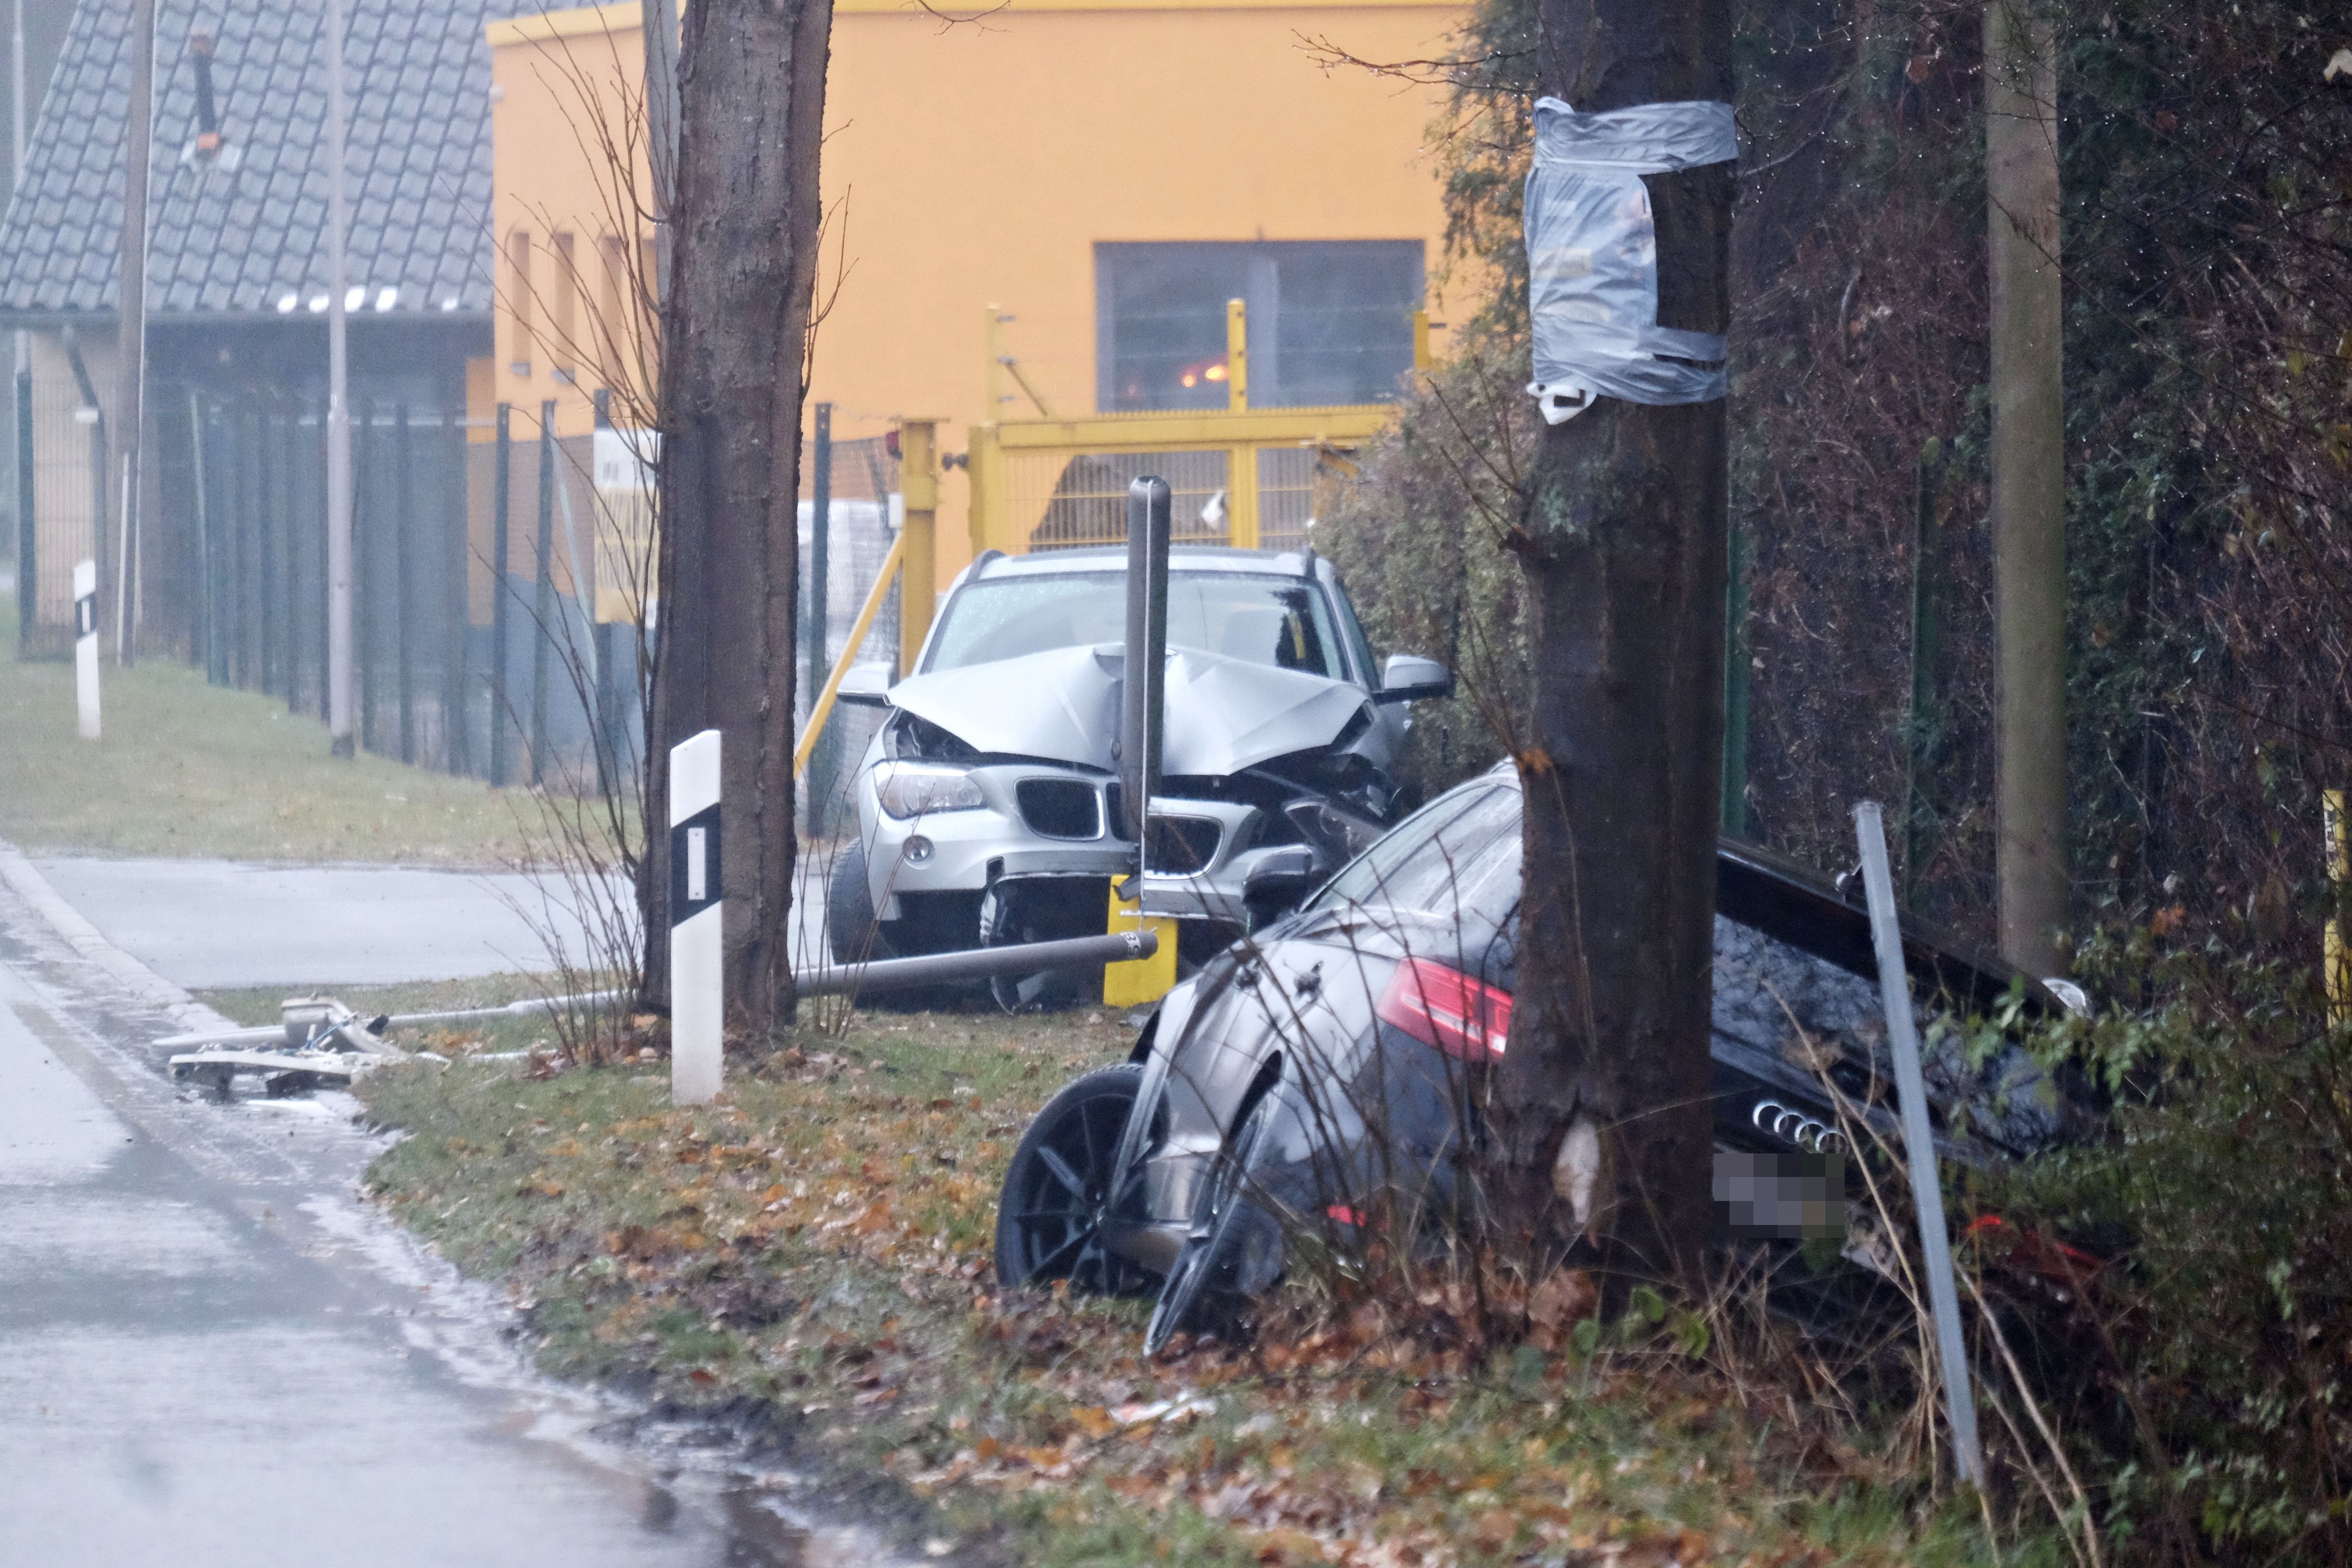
column 1918, row 1141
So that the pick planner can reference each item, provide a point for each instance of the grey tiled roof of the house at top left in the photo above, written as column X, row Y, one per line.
column 241, row 241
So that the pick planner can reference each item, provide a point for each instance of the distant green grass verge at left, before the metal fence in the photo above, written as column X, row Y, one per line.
column 196, row 770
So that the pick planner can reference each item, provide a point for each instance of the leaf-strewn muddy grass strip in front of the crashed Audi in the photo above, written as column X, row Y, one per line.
column 817, row 1247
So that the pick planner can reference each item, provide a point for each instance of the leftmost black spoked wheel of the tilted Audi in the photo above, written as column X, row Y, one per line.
column 1057, row 1195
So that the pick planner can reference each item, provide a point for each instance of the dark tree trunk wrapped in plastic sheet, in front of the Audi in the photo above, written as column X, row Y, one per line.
column 1624, row 554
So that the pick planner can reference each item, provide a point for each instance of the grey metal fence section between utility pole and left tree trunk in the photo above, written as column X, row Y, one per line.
column 488, row 572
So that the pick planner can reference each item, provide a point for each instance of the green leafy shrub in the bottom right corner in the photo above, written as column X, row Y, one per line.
column 2224, row 1402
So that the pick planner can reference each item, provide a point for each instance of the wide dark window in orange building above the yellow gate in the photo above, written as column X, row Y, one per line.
column 1330, row 321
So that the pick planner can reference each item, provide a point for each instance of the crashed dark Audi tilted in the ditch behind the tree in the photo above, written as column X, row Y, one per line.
column 1332, row 1066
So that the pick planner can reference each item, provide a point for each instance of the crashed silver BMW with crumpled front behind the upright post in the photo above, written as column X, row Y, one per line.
column 989, row 803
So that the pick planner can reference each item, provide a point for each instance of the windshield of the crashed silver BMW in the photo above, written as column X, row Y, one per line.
column 1281, row 622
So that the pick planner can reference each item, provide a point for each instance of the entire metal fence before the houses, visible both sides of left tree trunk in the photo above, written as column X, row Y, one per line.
column 500, row 572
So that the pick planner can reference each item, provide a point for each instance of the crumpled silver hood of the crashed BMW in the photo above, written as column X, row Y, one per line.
column 1064, row 704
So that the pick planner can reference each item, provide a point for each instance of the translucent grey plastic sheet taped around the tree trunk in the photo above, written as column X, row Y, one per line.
column 1593, row 255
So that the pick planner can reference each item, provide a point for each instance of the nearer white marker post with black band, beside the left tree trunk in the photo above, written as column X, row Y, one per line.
column 697, row 956
